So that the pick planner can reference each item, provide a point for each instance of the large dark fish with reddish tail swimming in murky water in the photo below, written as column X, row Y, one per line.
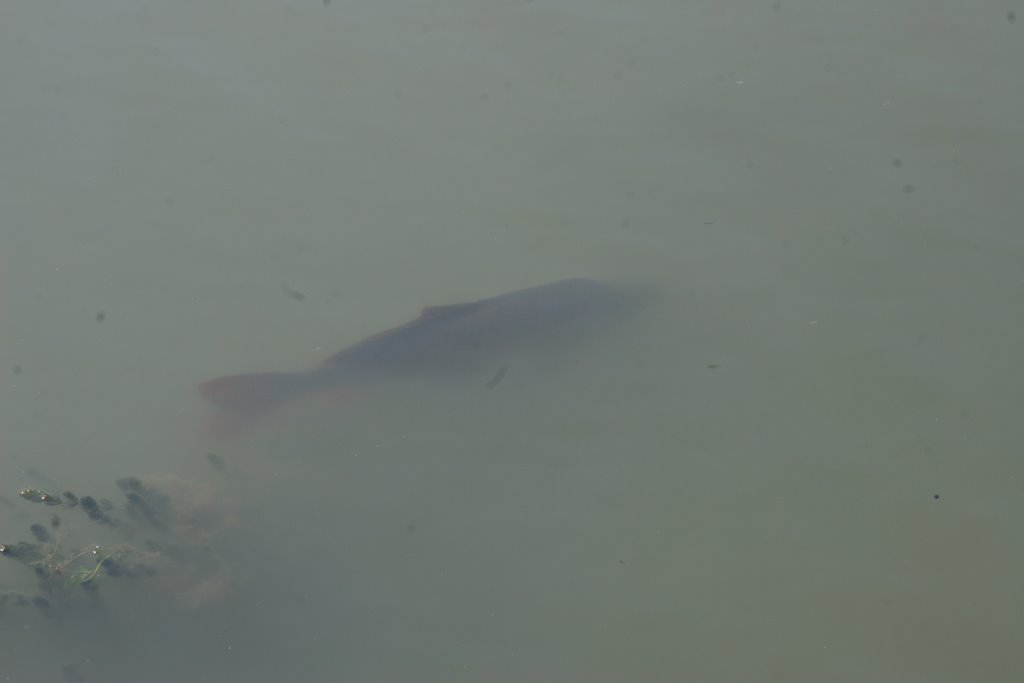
column 448, row 341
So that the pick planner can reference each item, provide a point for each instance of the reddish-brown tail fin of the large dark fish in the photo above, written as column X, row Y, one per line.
column 244, row 400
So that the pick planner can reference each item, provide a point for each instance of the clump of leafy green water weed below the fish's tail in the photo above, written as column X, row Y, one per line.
column 161, row 533
